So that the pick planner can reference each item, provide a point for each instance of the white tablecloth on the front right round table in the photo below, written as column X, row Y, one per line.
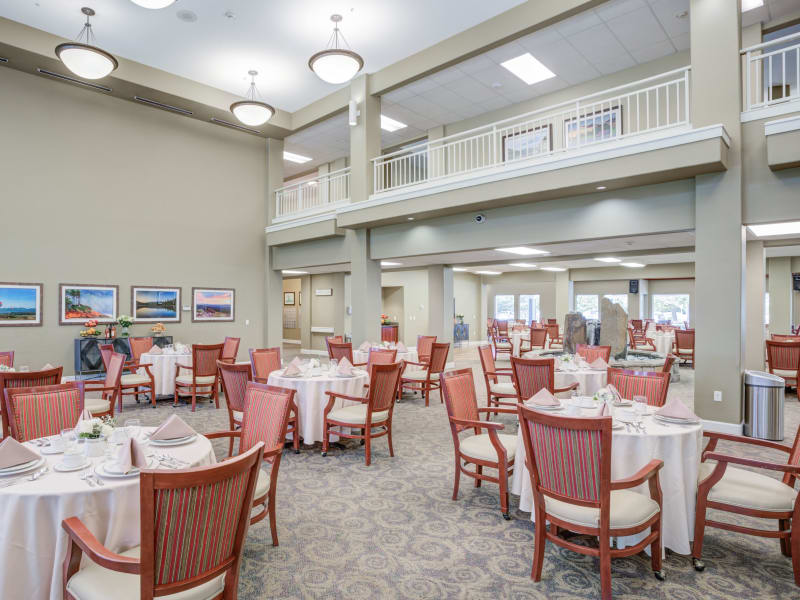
column 678, row 446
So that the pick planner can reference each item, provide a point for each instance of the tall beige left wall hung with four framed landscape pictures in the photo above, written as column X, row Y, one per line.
column 102, row 191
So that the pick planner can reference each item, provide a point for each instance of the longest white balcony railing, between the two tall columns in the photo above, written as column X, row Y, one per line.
column 633, row 109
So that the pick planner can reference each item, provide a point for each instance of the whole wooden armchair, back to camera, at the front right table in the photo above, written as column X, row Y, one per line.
column 569, row 464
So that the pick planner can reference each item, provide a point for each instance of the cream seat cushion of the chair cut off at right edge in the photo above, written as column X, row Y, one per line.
column 749, row 489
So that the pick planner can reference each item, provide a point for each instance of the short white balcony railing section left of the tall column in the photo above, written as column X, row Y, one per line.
column 313, row 195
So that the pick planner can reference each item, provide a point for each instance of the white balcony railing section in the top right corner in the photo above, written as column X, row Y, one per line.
column 772, row 72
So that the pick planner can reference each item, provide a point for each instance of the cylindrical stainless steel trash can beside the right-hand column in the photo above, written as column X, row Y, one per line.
column 763, row 405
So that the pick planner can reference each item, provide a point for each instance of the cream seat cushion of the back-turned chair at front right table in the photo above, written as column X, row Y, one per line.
column 628, row 509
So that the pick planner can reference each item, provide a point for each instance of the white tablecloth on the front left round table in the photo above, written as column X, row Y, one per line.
column 33, row 544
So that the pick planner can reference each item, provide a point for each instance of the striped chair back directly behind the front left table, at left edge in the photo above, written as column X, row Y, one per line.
column 36, row 412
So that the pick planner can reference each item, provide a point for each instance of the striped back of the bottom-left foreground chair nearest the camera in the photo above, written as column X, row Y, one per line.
column 193, row 523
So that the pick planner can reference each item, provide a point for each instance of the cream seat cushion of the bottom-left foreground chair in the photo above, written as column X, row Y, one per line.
column 98, row 583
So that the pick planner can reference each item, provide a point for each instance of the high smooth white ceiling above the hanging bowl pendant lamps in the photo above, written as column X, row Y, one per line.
column 274, row 37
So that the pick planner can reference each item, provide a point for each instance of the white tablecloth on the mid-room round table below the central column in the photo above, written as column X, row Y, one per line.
column 311, row 398
